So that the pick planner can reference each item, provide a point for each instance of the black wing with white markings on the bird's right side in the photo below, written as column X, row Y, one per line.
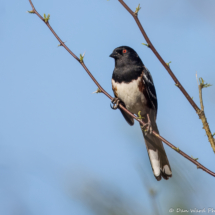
column 150, row 88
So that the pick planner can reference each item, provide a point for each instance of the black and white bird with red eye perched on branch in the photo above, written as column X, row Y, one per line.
column 134, row 88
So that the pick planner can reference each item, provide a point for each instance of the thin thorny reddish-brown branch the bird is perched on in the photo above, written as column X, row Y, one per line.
column 200, row 166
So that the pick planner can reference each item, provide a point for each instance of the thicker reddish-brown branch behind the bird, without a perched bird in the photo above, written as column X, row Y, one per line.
column 177, row 83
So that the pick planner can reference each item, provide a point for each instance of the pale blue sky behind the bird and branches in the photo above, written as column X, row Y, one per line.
column 55, row 135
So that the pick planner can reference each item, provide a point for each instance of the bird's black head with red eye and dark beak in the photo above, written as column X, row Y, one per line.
column 125, row 56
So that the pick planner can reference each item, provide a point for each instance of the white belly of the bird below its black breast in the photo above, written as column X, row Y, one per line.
column 130, row 94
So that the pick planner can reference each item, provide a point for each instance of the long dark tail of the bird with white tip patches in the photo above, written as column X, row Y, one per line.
column 157, row 155
